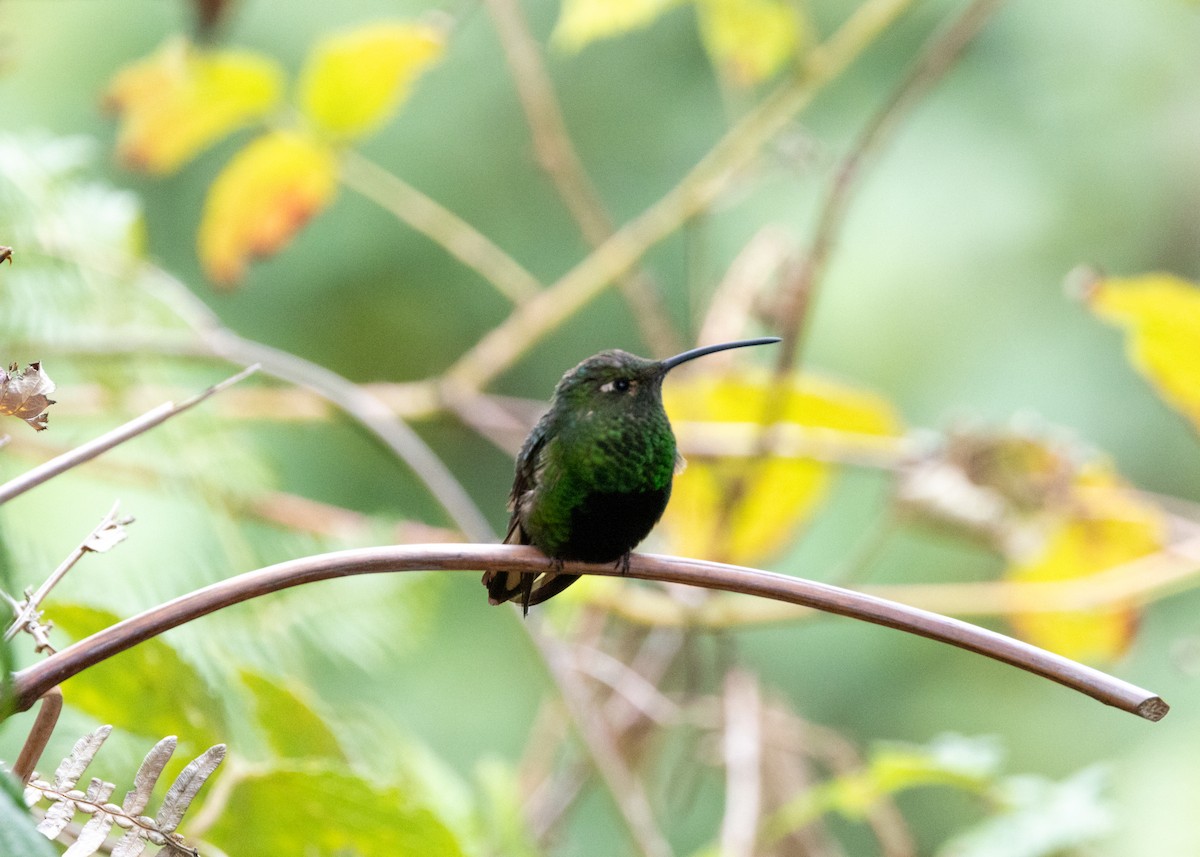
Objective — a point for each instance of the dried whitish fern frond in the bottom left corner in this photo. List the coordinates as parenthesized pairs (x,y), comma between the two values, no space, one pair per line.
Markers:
(67,801)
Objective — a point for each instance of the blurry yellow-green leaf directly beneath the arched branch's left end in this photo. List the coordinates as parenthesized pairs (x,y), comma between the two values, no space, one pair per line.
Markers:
(148,691)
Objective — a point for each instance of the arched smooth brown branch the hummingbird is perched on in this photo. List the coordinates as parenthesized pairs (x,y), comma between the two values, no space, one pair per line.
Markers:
(34,681)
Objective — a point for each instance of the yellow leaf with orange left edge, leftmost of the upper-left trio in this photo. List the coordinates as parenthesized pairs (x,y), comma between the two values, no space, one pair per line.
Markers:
(182,99)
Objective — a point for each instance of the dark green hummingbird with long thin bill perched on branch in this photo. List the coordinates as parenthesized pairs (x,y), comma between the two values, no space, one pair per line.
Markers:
(595,475)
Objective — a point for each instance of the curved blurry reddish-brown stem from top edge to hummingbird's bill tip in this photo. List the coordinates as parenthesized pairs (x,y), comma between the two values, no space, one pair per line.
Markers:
(935,59)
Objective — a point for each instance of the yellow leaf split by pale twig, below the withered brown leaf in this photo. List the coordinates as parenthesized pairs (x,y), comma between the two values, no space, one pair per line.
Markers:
(1103,526)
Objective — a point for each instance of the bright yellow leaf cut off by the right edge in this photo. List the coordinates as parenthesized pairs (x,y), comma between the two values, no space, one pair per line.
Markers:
(1161,315)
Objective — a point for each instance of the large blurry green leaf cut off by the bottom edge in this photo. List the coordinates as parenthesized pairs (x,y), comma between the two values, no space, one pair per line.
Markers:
(322,810)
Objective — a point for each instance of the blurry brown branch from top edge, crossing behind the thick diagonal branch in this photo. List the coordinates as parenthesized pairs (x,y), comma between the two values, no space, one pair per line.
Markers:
(561,163)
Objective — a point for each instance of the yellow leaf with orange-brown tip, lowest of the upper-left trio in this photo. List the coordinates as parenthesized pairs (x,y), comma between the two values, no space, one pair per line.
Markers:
(262,199)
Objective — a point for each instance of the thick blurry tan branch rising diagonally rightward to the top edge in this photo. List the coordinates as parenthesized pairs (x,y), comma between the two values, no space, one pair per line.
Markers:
(694,194)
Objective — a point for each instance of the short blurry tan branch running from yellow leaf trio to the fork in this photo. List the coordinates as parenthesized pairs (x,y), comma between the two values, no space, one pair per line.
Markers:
(448,230)
